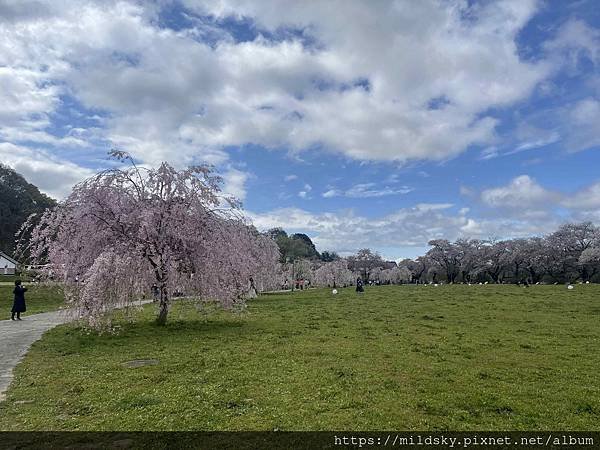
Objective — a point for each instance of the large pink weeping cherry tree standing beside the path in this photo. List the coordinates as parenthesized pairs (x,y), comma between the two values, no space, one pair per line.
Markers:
(124,229)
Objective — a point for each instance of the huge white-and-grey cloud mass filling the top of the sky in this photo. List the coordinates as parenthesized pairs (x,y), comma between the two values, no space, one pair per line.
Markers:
(374,81)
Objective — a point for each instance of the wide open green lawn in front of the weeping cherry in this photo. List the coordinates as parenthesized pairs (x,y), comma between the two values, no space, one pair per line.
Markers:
(396,358)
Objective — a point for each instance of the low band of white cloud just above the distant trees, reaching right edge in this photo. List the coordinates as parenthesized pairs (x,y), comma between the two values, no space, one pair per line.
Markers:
(522,208)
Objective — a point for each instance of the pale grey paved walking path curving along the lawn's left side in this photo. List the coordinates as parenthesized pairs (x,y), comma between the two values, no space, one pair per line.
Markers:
(17,336)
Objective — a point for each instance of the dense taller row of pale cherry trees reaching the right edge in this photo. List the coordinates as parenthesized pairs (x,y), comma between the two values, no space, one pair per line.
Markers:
(571,253)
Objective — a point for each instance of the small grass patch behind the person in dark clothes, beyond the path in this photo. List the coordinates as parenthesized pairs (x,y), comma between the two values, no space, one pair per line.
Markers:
(39,298)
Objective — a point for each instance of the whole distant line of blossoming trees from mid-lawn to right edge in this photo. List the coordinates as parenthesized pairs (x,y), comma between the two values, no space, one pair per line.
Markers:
(572,253)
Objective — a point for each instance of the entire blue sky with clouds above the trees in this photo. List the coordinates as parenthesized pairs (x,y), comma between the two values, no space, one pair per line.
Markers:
(362,124)
